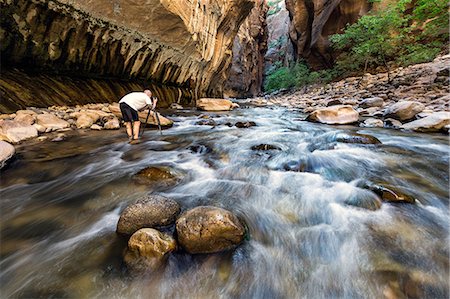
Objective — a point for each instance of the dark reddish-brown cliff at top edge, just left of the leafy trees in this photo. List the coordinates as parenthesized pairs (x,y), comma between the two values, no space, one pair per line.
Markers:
(313,21)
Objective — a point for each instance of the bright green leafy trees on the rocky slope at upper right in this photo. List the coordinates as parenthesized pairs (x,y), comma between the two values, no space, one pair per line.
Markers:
(404,33)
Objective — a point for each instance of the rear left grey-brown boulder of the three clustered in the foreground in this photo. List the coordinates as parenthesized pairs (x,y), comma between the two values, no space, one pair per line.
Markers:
(149,211)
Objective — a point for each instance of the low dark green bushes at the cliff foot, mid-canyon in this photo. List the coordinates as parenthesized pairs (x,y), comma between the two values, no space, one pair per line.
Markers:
(298,75)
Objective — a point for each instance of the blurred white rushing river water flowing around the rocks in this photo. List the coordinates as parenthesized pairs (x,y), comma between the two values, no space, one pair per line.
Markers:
(309,233)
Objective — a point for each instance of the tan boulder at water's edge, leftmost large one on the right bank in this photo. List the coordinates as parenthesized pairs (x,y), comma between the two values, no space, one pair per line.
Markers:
(339,114)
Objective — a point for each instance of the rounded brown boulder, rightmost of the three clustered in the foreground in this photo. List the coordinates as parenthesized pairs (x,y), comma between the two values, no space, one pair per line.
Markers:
(208,229)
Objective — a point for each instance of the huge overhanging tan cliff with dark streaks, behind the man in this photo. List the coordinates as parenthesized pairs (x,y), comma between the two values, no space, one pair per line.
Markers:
(181,46)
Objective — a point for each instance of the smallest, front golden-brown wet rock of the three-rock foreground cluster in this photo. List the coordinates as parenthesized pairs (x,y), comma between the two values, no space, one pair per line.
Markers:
(147,249)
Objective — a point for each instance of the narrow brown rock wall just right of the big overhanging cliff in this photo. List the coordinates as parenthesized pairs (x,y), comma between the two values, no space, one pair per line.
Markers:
(245,74)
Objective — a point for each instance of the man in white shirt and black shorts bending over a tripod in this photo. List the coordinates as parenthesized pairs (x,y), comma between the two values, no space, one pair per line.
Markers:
(130,105)
